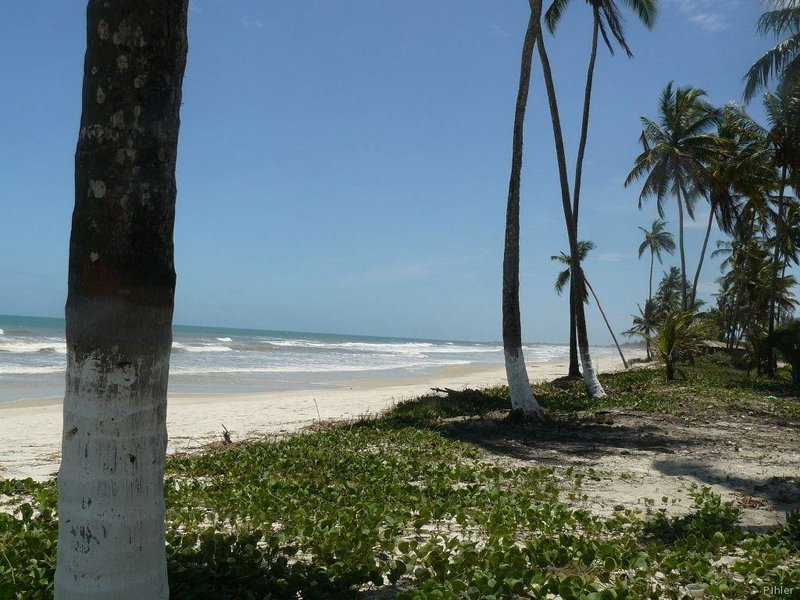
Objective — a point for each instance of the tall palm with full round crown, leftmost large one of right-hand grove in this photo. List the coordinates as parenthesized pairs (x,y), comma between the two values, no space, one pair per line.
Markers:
(675,152)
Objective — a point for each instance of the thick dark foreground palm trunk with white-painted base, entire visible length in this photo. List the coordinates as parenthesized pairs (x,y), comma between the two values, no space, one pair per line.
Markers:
(119,307)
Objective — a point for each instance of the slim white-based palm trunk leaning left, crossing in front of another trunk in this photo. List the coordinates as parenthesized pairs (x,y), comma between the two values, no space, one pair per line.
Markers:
(593,386)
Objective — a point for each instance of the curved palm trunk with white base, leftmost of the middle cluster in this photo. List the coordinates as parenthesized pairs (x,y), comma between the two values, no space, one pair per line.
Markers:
(522,398)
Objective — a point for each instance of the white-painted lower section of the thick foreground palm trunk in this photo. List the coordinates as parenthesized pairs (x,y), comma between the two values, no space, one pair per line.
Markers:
(111,542)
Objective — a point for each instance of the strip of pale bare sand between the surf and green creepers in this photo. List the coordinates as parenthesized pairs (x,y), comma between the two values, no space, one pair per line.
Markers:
(30,430)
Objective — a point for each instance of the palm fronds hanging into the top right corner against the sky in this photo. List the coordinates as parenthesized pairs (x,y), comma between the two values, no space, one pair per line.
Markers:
(783,60)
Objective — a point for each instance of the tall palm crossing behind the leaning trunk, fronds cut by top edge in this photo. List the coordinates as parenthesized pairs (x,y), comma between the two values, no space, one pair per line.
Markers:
(608,22)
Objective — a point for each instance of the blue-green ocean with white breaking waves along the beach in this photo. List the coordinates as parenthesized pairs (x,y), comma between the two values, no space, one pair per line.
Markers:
(214,359)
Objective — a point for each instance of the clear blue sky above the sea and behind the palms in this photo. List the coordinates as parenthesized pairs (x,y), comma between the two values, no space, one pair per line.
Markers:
(343,166)
